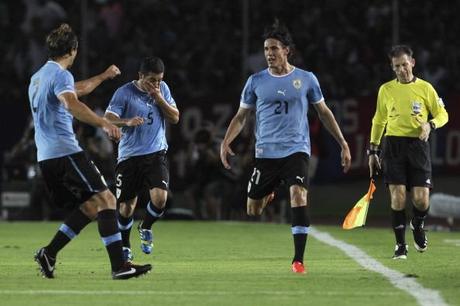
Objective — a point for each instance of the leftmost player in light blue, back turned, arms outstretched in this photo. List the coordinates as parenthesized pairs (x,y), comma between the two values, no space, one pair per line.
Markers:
(70,176)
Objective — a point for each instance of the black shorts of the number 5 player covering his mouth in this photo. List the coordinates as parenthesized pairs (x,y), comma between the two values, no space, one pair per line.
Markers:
(138,173)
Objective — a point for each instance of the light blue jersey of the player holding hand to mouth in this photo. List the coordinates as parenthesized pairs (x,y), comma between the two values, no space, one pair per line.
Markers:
(130,101)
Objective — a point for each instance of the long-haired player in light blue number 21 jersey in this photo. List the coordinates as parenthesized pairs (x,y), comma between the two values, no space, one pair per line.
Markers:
(281,96)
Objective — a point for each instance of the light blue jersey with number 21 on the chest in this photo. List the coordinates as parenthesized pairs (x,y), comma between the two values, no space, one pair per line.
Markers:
(281,106)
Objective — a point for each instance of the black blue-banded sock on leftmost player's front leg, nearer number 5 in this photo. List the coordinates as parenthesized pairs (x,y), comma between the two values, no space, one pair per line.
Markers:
(111,237)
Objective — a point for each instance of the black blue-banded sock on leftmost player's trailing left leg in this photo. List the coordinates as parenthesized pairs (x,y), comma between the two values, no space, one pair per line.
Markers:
(67,231)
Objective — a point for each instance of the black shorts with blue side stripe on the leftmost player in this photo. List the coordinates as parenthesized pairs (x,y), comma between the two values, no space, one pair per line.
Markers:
(72,179)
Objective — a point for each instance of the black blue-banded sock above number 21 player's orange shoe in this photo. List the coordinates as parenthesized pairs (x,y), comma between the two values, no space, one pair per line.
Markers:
(300,226)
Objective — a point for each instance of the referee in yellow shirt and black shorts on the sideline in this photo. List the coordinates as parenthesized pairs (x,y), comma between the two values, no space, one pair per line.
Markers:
(408,110)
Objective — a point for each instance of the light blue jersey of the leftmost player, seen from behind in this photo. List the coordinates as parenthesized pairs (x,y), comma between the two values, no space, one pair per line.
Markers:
(54,135)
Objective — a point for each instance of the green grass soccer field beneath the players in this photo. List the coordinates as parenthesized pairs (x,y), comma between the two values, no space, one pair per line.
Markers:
(226,263)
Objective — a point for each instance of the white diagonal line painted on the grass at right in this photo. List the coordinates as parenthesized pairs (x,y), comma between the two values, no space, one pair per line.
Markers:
(424,296)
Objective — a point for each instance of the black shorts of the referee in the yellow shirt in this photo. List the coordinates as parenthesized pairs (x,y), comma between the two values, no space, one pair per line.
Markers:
(407,161)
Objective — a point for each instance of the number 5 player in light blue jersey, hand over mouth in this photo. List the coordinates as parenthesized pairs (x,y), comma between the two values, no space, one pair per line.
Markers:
(141,108)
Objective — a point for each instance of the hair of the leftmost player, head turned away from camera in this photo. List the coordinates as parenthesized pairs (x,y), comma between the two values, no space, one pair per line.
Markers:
(61,41)
